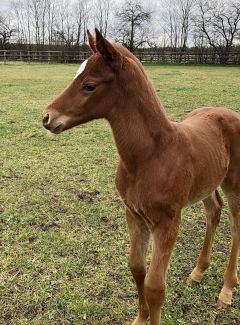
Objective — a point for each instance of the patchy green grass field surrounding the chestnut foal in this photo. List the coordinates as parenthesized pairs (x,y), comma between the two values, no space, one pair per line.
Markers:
(63,238)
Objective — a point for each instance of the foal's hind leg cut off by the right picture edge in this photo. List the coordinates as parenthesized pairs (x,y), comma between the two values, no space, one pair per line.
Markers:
(230,276)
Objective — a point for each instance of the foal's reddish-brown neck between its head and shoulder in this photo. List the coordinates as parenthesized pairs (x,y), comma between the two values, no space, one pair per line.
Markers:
(139,123)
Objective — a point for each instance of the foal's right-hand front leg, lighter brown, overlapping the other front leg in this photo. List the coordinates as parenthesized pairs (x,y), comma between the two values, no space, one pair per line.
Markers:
(164,236)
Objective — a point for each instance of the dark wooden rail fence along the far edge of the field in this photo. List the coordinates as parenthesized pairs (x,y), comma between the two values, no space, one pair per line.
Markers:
(161,56)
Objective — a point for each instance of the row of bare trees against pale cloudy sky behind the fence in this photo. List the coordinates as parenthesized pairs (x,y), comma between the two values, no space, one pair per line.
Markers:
(173,24)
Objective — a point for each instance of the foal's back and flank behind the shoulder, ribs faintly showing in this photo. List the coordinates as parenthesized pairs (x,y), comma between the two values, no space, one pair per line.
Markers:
(214,146)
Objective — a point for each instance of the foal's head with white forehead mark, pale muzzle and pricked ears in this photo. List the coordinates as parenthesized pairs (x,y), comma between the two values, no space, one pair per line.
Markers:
(96,88)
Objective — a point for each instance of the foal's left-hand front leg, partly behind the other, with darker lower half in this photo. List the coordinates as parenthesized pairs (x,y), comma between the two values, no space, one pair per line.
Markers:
(139,238)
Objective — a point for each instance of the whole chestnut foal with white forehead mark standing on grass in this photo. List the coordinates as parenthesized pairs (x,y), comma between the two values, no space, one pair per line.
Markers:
(164,165)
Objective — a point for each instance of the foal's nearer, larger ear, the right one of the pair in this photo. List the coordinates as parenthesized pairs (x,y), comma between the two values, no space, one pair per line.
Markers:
(108,51)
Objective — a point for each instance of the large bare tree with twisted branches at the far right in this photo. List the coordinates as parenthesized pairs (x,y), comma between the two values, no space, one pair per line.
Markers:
(220,24)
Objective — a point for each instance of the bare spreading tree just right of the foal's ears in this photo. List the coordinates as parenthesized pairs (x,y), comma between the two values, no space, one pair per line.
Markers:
(133,24)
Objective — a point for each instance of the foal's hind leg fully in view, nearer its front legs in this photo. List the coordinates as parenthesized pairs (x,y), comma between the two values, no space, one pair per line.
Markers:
(213,205)
